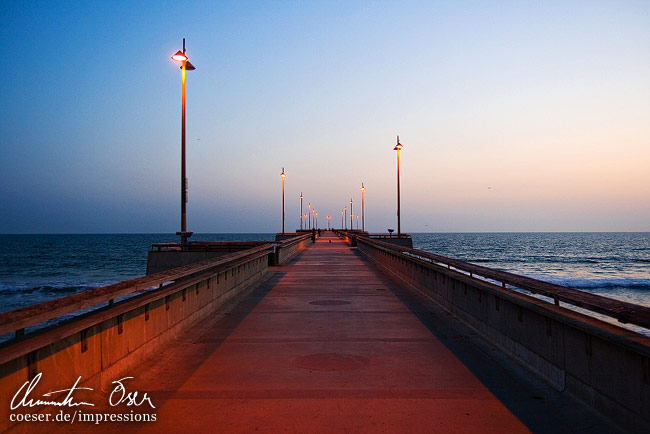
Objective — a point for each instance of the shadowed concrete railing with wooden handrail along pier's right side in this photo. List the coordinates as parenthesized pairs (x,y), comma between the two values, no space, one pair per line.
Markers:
(606,366)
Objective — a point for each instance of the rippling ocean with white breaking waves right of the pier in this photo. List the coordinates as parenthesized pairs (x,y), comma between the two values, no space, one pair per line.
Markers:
(615,265)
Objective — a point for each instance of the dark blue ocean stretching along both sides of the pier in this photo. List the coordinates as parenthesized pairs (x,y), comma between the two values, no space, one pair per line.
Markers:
(35,268)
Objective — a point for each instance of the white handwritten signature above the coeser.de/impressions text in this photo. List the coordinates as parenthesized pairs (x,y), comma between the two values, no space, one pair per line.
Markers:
(119,395)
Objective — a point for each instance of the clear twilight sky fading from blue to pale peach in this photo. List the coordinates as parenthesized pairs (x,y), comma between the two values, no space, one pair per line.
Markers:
(514,116)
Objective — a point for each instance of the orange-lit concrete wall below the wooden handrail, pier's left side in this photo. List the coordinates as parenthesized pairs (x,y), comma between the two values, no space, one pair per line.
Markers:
(103,345)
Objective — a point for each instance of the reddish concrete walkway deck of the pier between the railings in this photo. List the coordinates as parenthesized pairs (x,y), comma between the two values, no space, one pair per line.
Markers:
(328,344)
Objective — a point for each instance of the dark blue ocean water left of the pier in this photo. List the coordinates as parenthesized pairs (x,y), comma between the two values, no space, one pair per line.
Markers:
(36,268)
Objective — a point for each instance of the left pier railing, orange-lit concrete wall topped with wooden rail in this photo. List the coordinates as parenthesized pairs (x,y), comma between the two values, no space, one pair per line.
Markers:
(102,344)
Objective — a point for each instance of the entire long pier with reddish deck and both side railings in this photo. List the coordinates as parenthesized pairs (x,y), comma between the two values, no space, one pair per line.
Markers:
(346,334)
